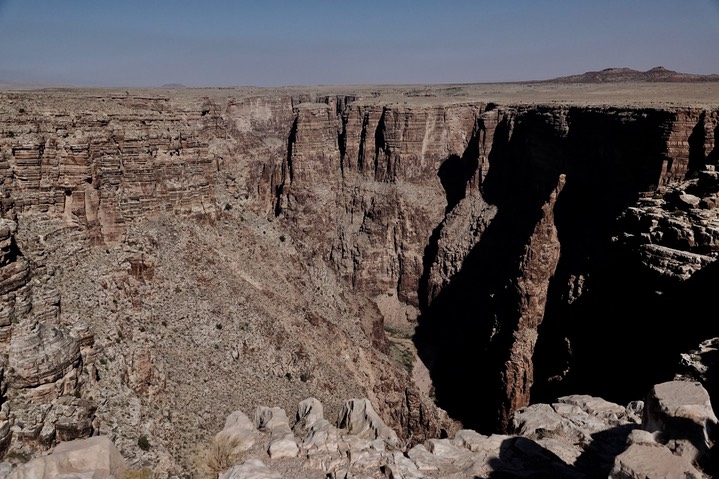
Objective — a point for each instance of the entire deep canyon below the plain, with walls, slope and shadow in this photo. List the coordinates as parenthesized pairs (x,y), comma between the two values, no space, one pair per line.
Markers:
(452,253)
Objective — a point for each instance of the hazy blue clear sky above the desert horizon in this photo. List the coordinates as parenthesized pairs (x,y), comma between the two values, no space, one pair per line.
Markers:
(313,42)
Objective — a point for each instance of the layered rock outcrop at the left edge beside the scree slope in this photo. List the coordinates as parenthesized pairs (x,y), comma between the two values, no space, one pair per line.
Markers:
(42,360)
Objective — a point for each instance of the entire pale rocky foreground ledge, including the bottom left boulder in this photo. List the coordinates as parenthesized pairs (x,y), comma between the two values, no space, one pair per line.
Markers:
(669,435)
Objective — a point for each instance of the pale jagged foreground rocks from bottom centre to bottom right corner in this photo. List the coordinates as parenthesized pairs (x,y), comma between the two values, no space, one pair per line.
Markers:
(579,436)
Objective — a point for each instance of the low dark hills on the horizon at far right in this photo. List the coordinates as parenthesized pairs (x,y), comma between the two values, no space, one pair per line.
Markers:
(614,75)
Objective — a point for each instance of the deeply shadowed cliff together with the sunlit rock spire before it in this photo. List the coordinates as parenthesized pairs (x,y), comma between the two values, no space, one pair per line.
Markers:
(537,318)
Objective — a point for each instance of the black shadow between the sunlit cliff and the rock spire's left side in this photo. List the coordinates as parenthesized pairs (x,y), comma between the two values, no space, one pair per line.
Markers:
(464,333)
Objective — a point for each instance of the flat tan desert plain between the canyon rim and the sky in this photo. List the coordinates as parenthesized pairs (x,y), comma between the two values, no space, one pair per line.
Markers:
(642,94)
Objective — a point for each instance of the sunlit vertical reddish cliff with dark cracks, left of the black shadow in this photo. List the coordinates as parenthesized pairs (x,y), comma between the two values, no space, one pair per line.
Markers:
(361,186)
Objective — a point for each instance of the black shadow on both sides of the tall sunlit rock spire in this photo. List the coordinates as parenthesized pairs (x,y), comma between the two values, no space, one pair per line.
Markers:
(604,329)
